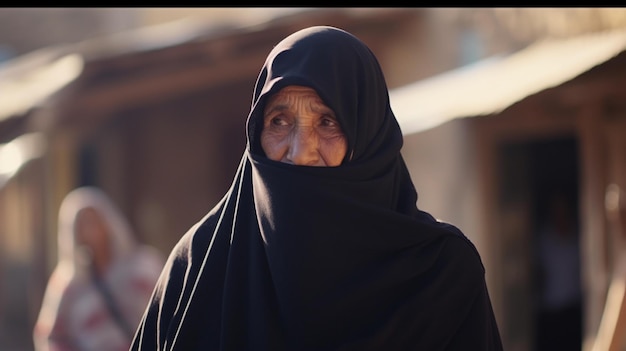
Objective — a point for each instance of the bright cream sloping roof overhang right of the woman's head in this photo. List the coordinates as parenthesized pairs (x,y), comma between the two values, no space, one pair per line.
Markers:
(493,84)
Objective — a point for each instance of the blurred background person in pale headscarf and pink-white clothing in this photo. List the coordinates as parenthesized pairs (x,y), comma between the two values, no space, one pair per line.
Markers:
(99,289)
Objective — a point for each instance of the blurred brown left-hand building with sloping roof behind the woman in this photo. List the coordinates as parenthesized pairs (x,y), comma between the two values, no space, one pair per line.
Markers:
(155,116)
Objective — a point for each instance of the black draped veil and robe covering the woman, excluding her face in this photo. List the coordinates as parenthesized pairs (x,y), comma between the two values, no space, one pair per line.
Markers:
(322,258)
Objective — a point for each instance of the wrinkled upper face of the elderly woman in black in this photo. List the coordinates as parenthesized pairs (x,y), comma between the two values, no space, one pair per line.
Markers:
(298,128)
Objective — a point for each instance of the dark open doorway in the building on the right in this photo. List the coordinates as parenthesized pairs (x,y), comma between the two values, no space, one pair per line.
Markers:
(541,252)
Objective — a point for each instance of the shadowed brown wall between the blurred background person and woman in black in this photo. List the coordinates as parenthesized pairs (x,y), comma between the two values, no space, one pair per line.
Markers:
(179,168)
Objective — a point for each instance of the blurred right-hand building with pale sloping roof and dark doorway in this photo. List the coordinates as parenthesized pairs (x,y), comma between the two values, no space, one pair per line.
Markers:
(501,135)
